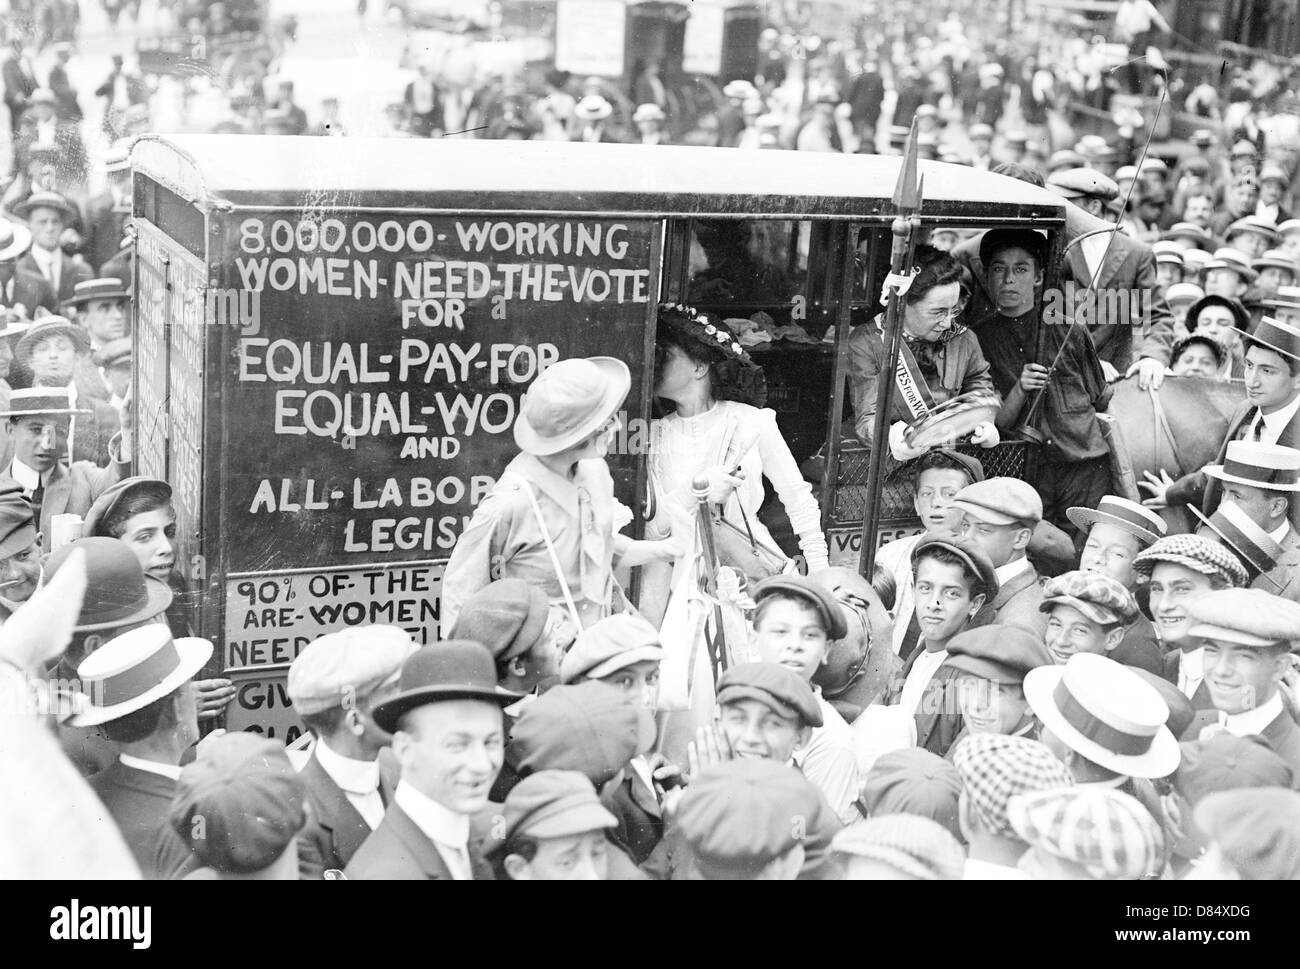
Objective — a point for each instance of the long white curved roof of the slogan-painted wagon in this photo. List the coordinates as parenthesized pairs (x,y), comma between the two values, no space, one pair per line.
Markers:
(561,178)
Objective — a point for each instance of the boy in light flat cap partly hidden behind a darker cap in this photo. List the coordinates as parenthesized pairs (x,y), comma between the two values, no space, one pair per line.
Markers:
(623,652)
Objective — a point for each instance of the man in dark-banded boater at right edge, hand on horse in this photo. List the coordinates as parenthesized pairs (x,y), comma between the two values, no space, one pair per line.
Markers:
(1268,417)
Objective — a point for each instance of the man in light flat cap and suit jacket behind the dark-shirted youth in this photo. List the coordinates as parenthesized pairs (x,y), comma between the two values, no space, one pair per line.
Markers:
(1128,296)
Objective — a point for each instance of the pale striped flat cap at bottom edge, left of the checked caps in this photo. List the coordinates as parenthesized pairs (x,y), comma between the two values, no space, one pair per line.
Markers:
(899,847)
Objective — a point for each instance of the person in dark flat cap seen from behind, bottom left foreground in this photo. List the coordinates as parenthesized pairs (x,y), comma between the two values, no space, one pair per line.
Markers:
(240,807)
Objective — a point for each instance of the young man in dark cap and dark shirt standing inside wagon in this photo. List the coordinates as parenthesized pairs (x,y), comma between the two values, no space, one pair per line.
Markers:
(1020,340)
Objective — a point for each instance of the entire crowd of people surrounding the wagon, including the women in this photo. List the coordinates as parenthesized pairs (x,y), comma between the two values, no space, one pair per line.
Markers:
(1052,681)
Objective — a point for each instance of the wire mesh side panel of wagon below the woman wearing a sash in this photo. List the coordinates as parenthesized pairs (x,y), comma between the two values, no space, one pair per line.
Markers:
(850,507)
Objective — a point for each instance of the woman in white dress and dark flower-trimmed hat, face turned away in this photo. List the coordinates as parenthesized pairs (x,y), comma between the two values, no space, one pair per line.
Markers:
(714,430)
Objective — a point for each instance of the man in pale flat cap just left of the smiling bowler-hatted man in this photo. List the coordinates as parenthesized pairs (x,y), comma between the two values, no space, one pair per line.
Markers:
(335,685)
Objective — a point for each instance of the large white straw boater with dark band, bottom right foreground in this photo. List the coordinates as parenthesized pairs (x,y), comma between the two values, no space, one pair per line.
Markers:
(1104,712)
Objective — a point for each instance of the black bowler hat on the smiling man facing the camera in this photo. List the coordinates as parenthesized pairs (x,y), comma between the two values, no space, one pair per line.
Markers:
(449,670)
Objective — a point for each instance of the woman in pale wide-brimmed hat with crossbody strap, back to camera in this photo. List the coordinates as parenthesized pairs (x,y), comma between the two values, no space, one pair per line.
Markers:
(553,520)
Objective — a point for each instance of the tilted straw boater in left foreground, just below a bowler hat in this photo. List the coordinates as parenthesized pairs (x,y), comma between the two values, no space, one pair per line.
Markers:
(133,670)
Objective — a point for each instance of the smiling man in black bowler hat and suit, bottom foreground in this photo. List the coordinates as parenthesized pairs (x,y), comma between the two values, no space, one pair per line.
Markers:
(449,738)
